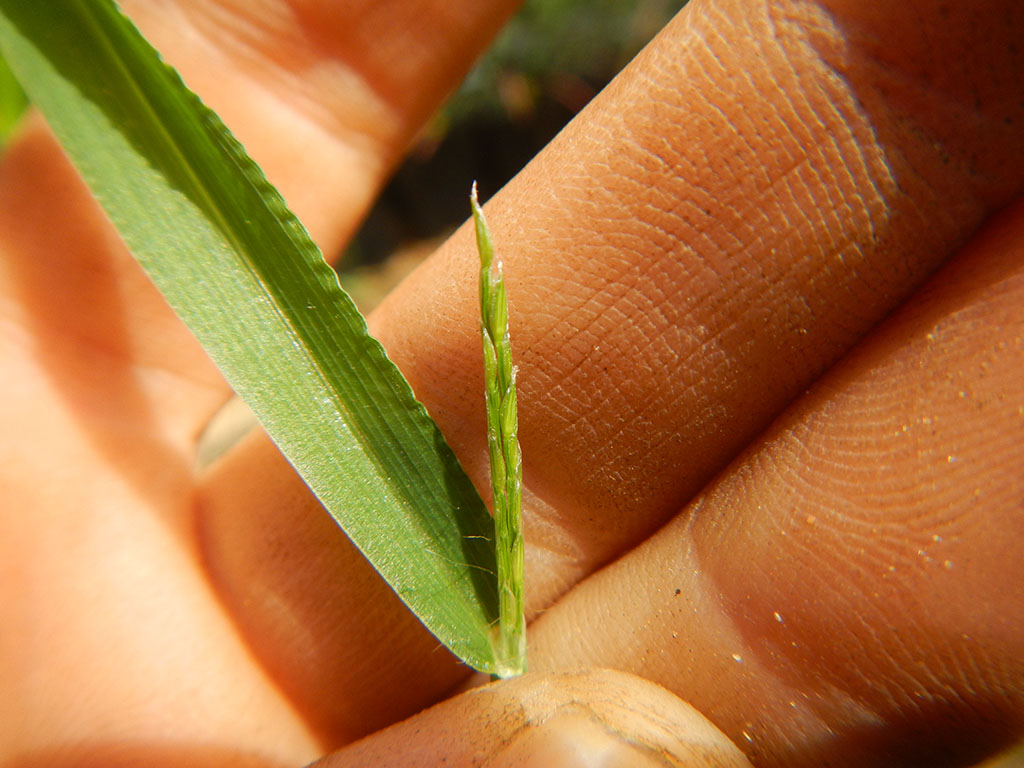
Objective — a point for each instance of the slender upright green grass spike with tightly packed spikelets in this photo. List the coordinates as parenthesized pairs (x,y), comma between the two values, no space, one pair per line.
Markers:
(506,459)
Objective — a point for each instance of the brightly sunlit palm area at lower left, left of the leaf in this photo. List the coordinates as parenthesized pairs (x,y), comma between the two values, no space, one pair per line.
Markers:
(113,649)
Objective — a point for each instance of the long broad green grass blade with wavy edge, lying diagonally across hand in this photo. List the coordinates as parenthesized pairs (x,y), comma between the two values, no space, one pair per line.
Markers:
(242,273)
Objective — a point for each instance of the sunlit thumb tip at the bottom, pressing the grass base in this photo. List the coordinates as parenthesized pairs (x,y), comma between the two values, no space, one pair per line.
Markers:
(591,719)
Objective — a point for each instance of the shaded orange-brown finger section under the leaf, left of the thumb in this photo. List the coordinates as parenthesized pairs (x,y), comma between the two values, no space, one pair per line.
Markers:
(332,634)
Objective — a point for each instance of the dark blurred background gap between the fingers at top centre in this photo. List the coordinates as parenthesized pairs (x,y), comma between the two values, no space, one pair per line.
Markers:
(546,65)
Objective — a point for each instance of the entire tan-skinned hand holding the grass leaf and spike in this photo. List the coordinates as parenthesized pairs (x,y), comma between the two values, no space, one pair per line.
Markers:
(766,470)
